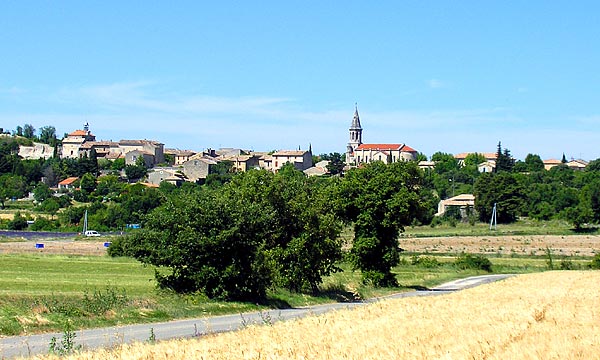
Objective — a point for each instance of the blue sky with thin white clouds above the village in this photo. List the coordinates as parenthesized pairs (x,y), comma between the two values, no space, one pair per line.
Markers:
(437,75)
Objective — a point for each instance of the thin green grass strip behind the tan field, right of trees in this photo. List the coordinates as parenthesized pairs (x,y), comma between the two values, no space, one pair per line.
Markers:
(521,227)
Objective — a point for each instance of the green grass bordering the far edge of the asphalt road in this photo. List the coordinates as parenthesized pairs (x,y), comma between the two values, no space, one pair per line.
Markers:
(40,293)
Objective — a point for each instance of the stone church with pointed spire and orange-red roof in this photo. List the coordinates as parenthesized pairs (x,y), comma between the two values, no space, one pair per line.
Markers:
(358,153)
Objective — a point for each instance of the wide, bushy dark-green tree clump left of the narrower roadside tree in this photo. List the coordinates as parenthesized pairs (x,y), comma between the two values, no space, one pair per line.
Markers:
(235,241)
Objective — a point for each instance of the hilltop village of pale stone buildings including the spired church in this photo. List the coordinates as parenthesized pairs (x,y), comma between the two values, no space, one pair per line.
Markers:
(176,166)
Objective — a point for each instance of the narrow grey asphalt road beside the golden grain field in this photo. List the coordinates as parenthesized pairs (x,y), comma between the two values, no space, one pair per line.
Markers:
(14,346)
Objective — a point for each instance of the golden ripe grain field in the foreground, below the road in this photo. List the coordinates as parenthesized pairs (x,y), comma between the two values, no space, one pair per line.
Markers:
(552,315)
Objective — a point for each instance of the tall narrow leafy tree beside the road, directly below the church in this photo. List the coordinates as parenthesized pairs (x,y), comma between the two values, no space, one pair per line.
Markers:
(379,200)
